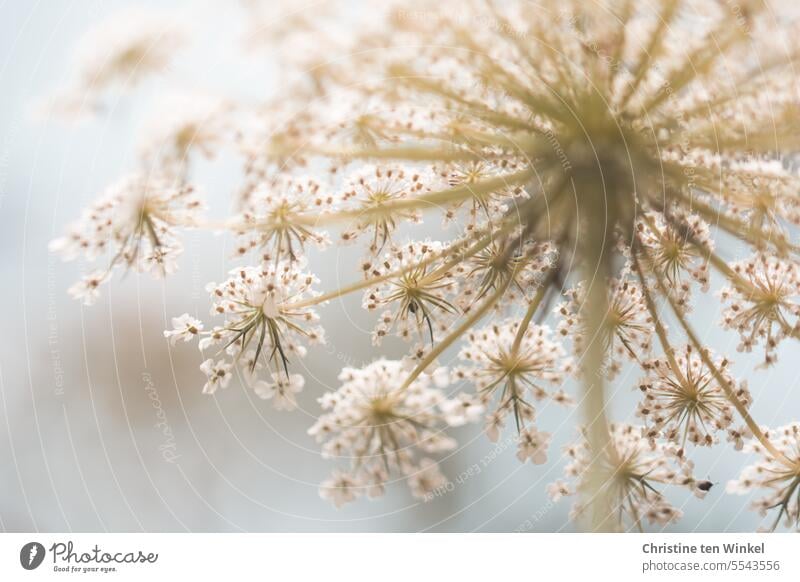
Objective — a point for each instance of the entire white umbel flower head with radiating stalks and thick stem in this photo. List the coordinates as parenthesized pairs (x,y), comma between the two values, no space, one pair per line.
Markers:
(586,159)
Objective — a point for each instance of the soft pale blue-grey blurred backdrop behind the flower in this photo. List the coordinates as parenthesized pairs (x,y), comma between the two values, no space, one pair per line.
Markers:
(103,426)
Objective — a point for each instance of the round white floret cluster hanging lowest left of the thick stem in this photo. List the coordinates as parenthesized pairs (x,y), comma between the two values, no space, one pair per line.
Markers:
(386,429)
